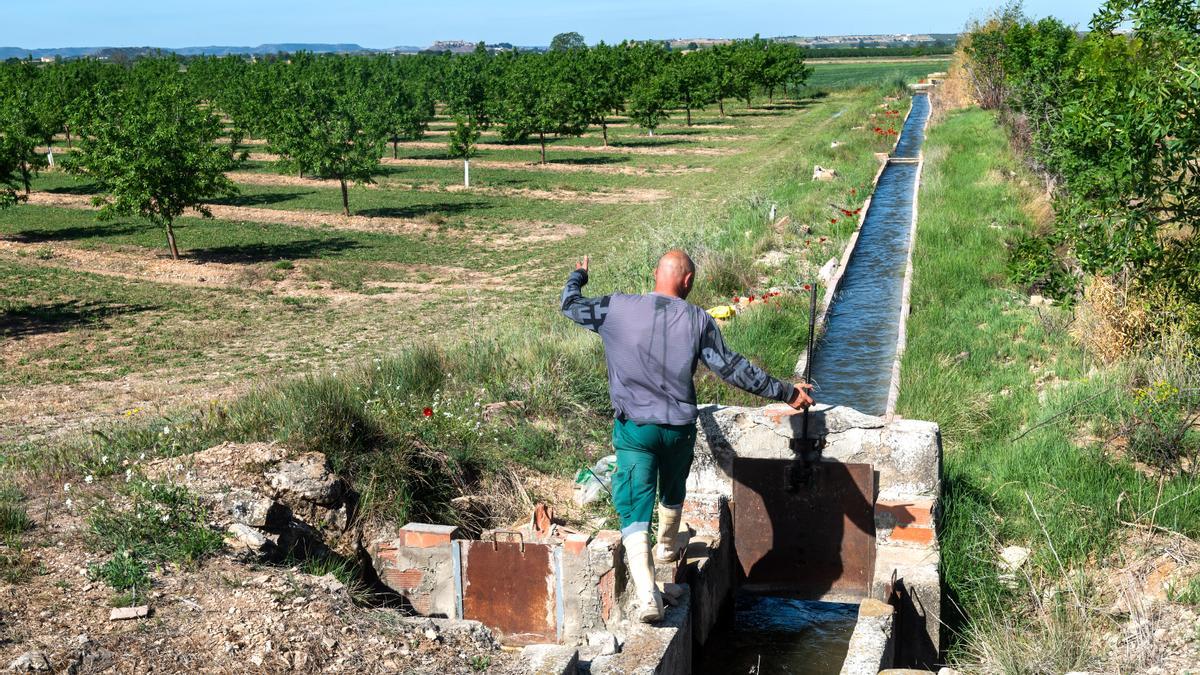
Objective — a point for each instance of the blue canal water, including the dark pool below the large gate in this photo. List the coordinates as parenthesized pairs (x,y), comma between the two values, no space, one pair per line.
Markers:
(851,367)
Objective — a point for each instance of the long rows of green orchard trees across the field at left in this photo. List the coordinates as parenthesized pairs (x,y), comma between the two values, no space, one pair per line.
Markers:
(159,135)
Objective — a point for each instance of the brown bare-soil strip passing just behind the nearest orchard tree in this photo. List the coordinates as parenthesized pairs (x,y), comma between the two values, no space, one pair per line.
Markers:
(531,231)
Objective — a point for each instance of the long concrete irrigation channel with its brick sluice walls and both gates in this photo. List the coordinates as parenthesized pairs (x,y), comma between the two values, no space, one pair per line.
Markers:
(850,522)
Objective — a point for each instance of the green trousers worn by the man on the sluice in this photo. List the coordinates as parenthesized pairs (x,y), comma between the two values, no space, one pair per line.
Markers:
(650,457)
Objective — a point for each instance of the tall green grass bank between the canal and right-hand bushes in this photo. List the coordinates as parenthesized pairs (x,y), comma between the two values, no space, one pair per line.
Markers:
(1019,419)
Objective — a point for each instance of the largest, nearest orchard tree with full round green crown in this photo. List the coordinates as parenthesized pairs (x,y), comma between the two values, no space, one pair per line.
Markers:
(153,151)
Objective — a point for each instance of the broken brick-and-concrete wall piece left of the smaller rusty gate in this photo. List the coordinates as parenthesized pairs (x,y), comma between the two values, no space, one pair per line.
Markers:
(419,566)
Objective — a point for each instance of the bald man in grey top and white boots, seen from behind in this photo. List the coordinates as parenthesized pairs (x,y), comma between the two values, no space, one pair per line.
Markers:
(652,347)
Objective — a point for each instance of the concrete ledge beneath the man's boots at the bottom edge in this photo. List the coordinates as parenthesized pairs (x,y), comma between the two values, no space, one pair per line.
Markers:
(653,649)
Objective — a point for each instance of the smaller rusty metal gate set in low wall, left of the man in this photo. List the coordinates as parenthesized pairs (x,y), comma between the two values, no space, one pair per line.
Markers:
(513,588)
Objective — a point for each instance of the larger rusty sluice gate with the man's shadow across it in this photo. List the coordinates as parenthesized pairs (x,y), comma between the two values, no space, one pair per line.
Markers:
(812,540)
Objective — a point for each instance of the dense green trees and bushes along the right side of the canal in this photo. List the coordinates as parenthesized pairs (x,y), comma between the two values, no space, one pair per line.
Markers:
(1113,121)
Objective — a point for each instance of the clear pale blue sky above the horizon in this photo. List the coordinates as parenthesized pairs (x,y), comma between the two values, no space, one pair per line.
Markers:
(379,23)
